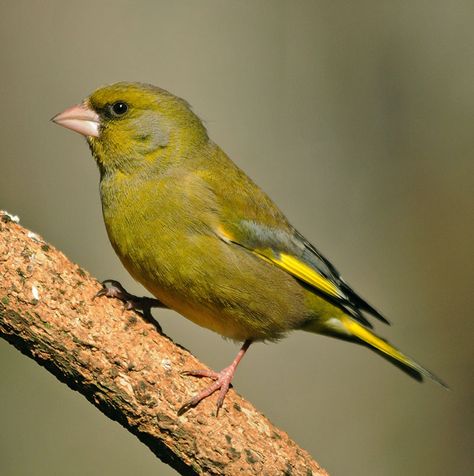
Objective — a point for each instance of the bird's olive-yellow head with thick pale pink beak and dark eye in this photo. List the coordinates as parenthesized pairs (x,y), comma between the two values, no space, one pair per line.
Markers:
(125,123)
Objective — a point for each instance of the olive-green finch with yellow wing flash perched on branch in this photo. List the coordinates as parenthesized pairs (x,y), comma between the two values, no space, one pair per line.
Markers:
(191,227)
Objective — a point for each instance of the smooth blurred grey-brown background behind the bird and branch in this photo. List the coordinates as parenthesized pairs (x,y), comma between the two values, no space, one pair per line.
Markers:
(357,118)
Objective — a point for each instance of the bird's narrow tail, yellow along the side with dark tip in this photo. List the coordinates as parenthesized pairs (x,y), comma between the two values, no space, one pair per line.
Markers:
(356,332)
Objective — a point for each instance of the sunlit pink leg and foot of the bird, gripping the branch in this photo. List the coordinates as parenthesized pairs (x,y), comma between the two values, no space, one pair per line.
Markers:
(222,381)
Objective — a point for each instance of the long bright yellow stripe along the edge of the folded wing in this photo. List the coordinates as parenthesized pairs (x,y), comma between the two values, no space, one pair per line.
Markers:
(301,271)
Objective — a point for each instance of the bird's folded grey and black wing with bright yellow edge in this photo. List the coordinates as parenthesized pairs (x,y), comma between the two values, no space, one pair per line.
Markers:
(289,250)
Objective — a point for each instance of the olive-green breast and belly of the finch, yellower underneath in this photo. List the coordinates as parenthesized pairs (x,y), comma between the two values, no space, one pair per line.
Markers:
(165,238)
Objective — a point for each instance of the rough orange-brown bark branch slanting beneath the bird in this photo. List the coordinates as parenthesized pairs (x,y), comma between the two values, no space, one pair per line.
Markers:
(123,366)
